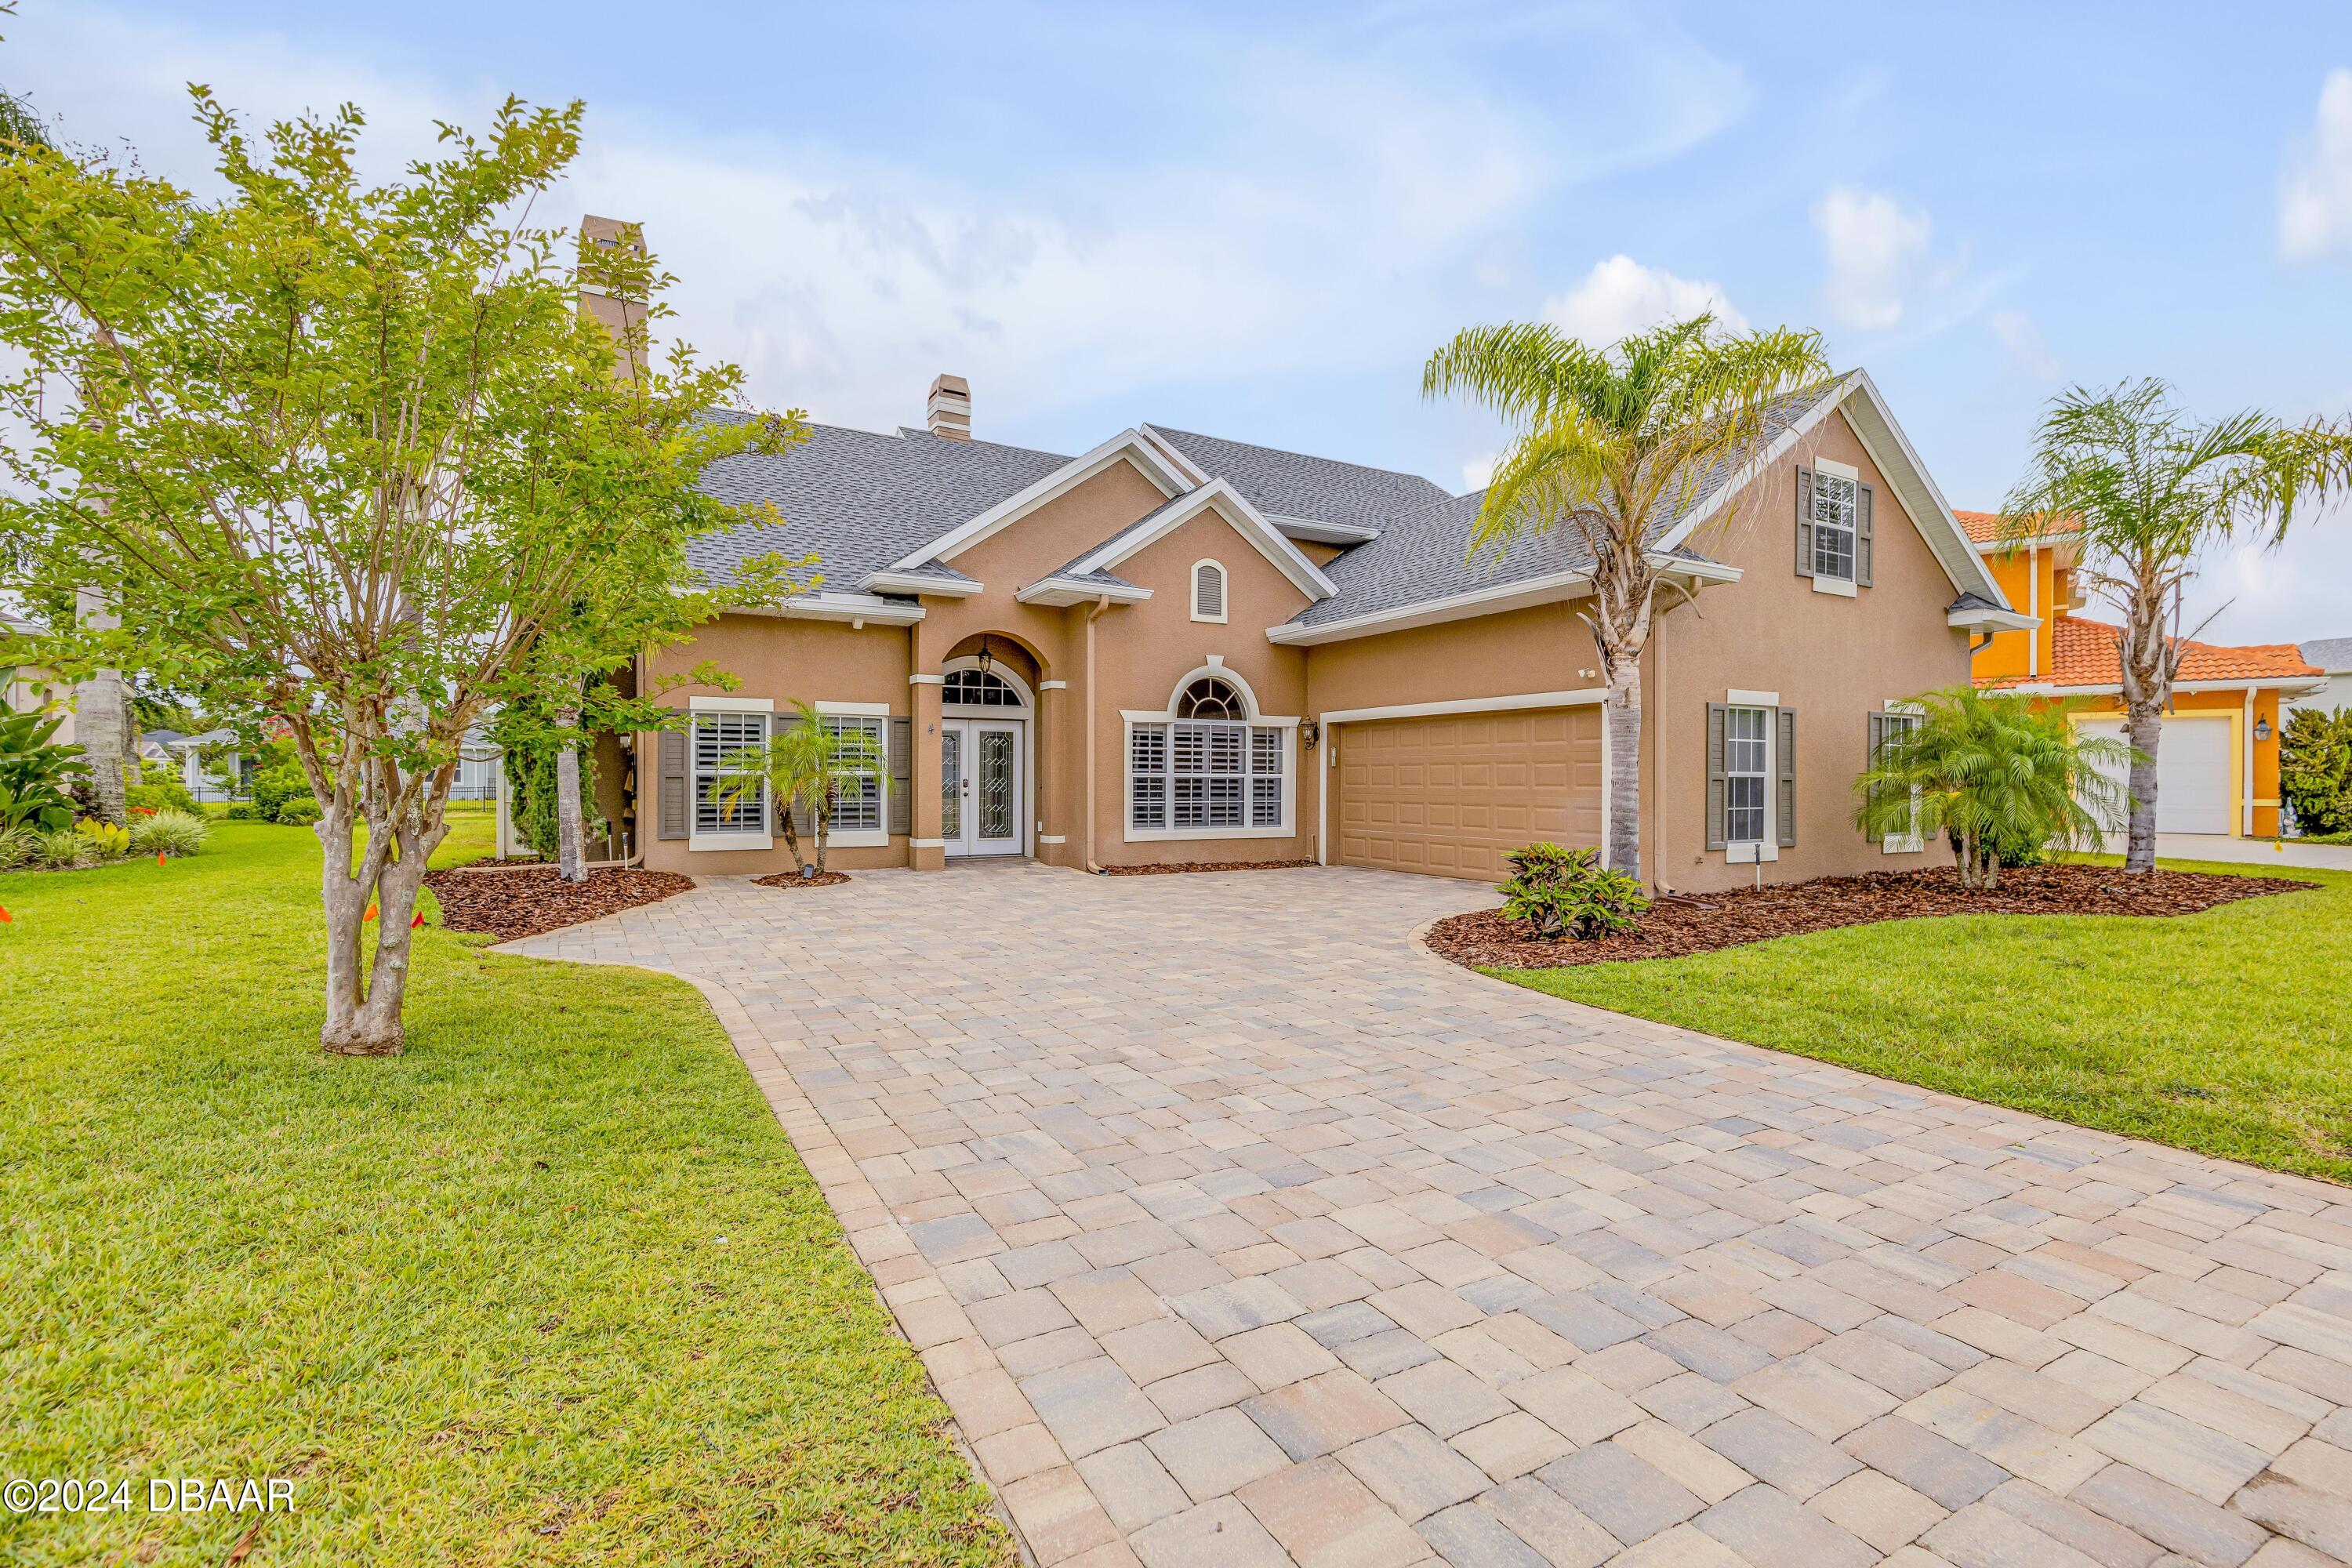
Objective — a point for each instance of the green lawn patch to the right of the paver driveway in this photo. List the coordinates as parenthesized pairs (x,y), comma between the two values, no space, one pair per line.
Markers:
(2221,1033)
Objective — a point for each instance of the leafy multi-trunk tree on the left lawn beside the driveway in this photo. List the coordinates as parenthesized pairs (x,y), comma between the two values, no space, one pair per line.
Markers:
(352,457)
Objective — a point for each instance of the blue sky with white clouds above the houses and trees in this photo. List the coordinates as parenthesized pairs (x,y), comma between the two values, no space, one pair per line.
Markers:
(1259,220)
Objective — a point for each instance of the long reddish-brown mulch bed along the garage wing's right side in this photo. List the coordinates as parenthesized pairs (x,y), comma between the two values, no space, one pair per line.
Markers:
(1704,923)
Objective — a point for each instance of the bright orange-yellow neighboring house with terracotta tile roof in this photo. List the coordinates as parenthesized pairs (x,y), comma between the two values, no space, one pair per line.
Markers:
(2219,760)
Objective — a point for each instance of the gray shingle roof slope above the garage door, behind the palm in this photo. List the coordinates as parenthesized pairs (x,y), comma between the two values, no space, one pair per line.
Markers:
(1422,556)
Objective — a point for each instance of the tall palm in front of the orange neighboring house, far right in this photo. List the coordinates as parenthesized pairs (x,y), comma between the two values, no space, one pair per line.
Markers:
(2151,490)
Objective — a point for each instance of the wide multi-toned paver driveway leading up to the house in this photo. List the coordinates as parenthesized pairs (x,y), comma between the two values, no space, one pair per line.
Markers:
(1236,1231)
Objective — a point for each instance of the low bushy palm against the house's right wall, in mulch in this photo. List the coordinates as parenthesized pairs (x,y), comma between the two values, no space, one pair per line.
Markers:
(1989,770)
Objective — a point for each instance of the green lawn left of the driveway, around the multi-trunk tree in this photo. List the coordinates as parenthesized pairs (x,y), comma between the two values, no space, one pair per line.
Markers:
(549,1289)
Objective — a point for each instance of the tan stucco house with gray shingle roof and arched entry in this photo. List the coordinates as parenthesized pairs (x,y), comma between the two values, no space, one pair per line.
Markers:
(1180,650)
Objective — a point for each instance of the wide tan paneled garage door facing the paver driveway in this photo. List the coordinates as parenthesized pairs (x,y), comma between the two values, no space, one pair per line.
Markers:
(1452,796)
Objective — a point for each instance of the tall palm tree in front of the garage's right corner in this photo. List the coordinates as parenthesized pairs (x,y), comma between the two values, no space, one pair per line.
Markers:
(1612,445)
